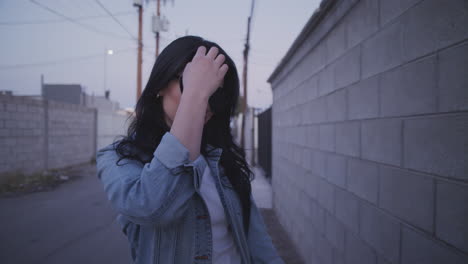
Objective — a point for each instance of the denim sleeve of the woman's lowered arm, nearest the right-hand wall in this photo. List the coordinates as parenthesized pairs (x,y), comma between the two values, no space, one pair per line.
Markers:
(260,244)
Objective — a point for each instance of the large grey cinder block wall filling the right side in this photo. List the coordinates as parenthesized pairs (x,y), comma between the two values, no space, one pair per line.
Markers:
(370,134)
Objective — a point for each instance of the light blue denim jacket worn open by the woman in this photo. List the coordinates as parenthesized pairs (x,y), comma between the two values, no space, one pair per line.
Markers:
(162,213)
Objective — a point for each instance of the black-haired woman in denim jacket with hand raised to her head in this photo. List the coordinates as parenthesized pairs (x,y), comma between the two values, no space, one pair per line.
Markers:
(178,181)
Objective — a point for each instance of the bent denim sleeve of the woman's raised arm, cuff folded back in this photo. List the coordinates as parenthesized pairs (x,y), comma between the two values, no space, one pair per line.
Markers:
(156,193)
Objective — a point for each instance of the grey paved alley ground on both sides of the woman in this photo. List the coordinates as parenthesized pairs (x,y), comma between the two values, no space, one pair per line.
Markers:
(74,223)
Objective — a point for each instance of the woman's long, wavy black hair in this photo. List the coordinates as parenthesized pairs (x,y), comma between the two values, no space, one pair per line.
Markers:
(148,126)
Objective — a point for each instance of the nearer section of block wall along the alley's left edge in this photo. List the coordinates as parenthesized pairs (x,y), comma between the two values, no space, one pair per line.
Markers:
(40,134)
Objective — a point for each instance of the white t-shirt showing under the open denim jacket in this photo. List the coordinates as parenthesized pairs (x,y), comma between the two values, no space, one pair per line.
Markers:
(224,248)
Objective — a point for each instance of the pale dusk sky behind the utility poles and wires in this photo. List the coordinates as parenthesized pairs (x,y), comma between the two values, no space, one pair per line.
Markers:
(39,40)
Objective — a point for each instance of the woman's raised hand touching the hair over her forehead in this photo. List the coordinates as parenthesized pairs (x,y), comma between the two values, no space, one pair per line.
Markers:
(205,73)
